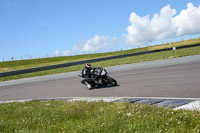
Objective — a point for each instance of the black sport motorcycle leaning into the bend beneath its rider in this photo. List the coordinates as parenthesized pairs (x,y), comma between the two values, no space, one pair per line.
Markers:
(103,79)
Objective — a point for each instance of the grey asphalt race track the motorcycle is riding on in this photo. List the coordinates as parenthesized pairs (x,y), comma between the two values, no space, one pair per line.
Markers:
(174,78)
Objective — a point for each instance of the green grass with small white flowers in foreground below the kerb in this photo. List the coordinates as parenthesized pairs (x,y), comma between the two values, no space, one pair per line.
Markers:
(63,116)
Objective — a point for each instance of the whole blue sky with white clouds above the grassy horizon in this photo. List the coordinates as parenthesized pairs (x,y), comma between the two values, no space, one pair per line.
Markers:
(47,28)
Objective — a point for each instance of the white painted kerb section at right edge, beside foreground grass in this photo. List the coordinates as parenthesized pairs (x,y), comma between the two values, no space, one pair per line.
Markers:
(190,106)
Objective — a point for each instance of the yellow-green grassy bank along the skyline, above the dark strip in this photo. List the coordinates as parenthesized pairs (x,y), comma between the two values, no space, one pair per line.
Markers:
(24,64)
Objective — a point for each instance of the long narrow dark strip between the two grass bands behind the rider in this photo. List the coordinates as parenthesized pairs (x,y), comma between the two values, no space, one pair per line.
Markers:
(37,69)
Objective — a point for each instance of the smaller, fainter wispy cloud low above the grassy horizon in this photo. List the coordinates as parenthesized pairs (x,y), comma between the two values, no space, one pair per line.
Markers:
(95,44)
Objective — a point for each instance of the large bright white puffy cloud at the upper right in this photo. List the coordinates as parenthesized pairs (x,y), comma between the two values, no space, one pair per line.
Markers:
(163,25)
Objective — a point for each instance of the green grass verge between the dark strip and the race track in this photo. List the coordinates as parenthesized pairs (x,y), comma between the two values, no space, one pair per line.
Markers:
(127,60)
